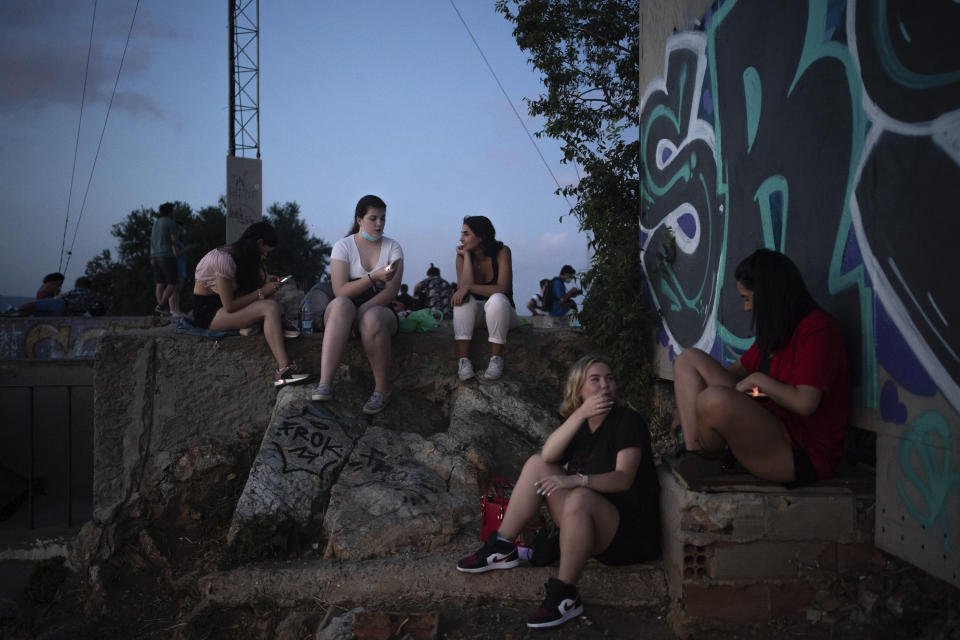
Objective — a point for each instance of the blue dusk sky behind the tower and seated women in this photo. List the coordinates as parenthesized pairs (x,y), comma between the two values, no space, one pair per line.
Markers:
(370,96)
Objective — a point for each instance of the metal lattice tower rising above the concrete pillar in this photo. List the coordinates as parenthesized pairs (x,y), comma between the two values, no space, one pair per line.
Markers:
(244,77)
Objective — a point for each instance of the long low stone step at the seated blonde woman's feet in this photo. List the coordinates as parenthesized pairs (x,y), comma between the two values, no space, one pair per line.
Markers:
(421,576)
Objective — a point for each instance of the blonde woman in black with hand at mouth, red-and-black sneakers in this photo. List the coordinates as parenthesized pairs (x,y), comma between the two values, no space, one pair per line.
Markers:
(597,477)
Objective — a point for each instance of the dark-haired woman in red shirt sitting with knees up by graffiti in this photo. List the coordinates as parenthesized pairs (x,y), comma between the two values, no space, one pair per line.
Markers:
(782,408)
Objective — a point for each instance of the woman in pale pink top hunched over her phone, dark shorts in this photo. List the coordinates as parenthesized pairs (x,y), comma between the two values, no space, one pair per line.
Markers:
(231,293)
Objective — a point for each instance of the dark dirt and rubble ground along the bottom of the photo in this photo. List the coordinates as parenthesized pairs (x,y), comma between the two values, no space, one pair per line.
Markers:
(149,589)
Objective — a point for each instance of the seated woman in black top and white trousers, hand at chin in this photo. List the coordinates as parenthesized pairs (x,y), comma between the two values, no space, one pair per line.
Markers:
(485,290)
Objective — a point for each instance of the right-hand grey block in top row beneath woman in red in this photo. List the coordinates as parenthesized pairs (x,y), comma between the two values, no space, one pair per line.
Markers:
(807,517)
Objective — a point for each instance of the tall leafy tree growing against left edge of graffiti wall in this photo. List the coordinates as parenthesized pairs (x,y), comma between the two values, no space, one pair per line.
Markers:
(589,54)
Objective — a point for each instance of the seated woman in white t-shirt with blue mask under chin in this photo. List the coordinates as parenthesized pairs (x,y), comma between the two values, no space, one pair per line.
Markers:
(366,269)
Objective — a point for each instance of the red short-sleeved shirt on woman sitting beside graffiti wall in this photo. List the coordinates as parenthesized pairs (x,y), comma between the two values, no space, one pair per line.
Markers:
(814,356)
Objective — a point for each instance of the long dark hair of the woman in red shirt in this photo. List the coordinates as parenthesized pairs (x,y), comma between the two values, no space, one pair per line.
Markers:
(780,297)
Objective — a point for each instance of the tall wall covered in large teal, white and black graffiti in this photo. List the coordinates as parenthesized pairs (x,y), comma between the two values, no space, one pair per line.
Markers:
(829,131)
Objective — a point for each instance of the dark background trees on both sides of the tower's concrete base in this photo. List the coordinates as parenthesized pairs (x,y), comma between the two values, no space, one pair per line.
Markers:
(127,283)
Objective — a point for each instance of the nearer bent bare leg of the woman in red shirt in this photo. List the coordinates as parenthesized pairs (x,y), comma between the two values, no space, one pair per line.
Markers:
(755,436)
